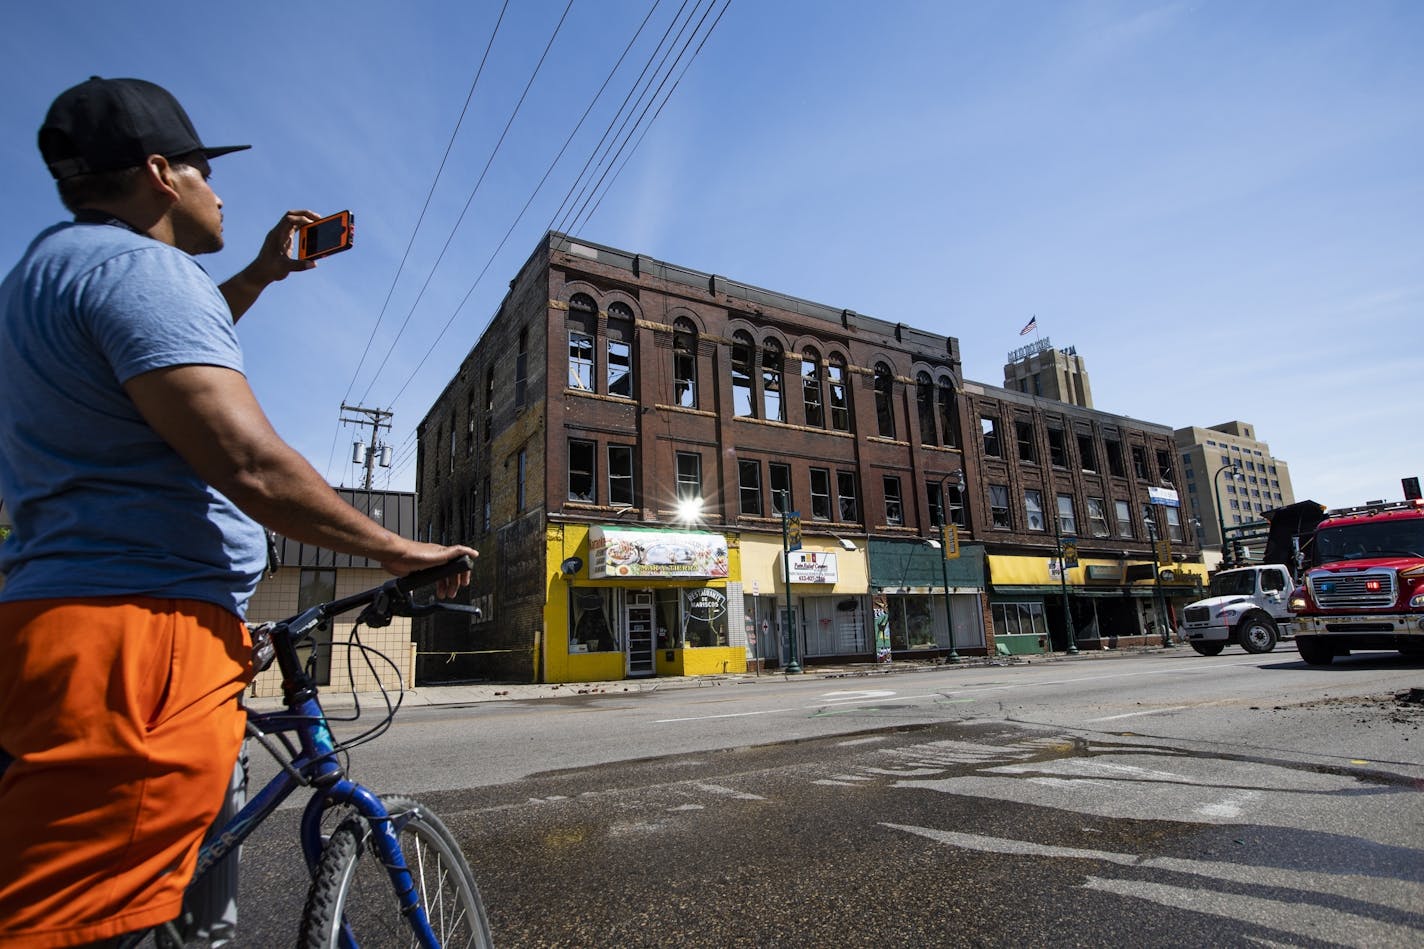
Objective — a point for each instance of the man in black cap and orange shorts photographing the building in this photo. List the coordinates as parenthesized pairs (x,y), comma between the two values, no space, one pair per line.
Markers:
(137,467)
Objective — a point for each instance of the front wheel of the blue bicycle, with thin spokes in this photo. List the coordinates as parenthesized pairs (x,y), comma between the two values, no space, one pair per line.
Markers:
(354,904)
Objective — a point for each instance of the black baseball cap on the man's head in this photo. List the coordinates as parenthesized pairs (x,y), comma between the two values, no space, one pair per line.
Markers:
(110,125)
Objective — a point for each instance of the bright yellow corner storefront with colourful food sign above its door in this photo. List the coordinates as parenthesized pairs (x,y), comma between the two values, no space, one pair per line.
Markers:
(634,602)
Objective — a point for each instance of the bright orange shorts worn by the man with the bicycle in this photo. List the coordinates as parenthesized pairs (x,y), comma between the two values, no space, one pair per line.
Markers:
(123,723)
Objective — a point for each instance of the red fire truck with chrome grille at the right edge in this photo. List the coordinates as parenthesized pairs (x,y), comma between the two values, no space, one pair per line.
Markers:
(1365,589)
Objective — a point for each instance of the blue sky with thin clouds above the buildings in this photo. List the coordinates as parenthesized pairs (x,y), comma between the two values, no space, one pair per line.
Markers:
(1221,204)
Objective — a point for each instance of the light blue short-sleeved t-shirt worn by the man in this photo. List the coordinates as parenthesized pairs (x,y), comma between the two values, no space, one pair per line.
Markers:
(100,504)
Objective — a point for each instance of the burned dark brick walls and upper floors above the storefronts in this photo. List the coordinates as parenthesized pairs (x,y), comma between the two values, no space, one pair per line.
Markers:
(737,393)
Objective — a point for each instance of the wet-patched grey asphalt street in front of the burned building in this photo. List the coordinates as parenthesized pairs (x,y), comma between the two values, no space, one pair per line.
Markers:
(1146,800)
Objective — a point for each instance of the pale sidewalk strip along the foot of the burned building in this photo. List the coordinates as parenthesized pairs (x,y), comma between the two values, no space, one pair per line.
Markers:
(476,693)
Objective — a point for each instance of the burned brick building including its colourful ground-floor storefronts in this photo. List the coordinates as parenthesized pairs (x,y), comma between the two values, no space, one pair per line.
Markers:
(629,438)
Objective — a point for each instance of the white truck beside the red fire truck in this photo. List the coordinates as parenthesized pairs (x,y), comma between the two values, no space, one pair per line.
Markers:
(1248,606)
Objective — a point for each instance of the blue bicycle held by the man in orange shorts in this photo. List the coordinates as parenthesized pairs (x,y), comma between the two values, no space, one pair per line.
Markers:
(415,887)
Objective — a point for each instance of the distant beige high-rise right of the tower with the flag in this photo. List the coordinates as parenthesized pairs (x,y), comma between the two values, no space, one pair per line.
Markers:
(1228,462)
